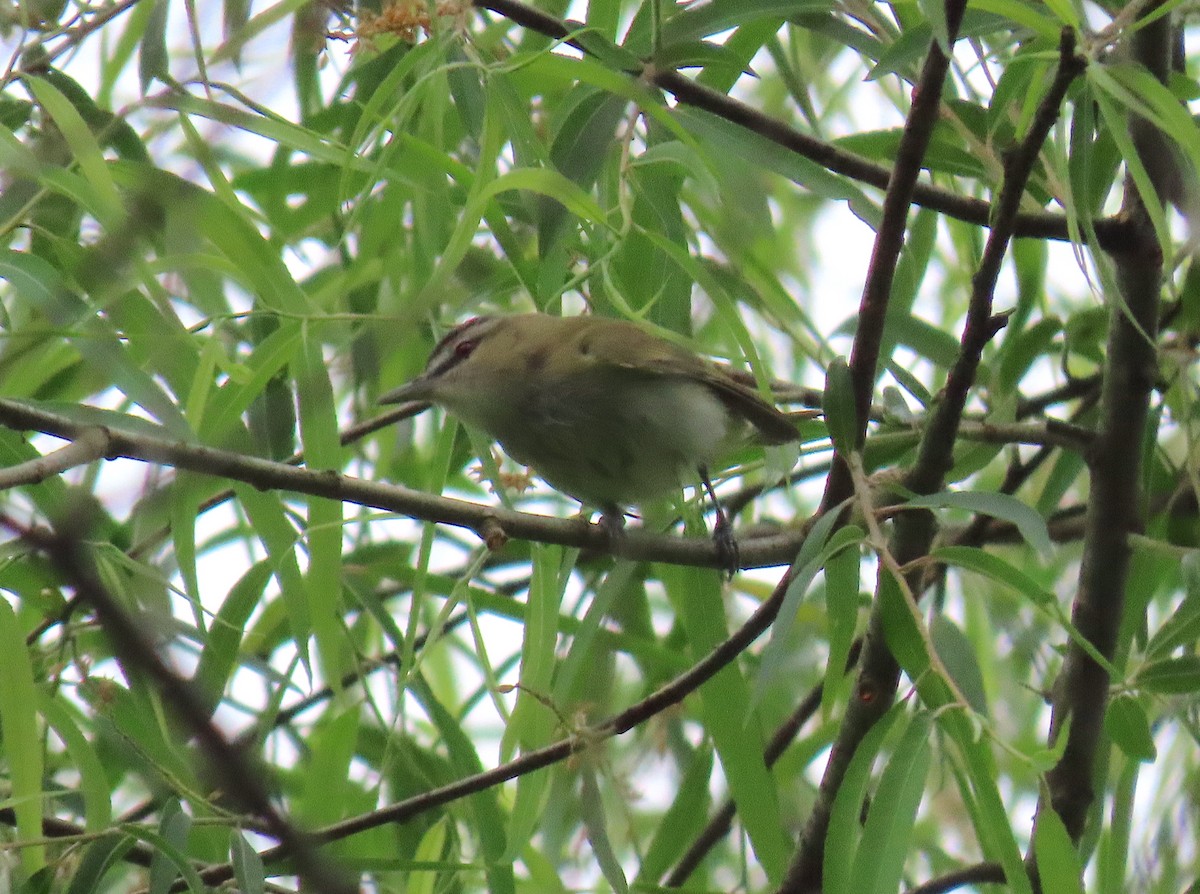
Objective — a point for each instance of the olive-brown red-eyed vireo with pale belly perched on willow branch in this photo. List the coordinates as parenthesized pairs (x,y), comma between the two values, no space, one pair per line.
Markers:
(603,410)
